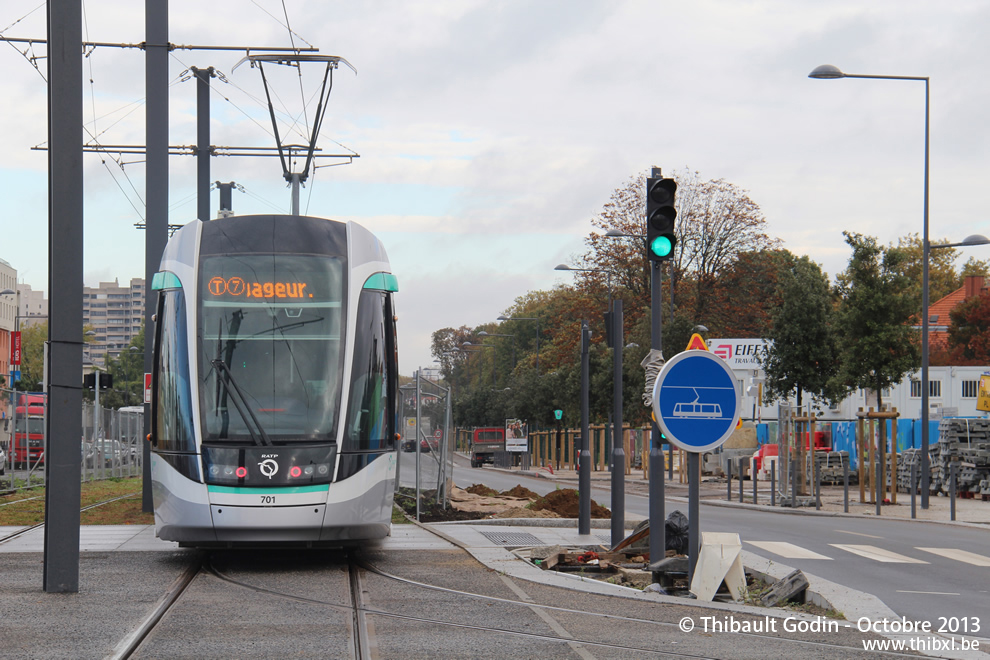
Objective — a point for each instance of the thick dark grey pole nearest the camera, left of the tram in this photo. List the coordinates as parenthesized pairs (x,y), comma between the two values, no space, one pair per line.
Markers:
(65,283)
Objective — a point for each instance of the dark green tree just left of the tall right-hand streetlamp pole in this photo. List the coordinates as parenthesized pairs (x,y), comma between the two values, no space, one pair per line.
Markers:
(879,344)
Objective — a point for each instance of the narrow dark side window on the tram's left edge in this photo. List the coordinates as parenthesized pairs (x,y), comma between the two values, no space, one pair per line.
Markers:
(173,406)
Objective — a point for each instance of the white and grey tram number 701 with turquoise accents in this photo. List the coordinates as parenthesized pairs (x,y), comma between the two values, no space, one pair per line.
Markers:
(274,384)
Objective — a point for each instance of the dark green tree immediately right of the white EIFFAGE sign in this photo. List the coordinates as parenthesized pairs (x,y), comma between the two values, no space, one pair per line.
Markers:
(803,351)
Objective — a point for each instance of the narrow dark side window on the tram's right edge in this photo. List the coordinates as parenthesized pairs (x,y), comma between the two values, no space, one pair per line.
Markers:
(373,377)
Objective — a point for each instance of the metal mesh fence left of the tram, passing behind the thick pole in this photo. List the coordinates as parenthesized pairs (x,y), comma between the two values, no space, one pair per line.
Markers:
(110,446)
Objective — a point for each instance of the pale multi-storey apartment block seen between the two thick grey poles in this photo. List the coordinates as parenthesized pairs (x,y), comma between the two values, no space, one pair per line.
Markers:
(112,314)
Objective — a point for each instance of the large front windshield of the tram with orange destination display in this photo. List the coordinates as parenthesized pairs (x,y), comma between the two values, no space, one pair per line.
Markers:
(270,347)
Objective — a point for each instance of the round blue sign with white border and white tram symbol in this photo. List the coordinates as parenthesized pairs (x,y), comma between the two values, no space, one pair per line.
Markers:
(695,401)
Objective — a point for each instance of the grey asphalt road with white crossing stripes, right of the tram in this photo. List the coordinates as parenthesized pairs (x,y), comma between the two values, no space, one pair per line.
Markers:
(923,571)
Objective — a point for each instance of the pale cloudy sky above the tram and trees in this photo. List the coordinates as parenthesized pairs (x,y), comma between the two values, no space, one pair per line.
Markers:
(489,133)
